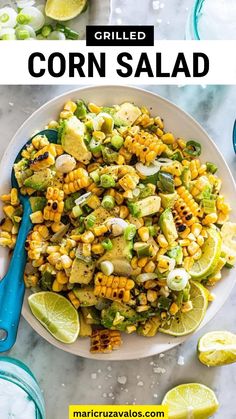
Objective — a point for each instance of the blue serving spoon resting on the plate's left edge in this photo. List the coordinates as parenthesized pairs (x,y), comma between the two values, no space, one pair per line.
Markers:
(12,286)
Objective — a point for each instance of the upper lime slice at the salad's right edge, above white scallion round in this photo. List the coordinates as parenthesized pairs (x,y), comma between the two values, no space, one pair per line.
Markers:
(211,251)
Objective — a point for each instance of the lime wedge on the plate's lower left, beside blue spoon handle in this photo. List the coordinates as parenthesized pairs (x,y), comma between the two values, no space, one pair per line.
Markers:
(56,314)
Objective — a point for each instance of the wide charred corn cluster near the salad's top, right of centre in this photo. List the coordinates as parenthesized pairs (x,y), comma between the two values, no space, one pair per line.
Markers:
(145,146)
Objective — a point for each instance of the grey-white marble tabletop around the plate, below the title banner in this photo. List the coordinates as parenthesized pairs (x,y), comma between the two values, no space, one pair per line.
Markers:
(65,378)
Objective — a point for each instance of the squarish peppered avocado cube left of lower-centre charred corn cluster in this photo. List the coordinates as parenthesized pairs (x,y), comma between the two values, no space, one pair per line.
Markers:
(81,272)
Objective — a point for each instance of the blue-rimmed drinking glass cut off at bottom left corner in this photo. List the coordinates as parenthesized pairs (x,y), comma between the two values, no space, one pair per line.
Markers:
(25,389)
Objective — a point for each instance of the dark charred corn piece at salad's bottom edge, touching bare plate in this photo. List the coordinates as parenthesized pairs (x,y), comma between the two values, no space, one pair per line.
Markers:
(104,341)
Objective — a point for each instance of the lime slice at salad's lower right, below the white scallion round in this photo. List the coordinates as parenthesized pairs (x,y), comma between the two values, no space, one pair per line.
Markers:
(185,323)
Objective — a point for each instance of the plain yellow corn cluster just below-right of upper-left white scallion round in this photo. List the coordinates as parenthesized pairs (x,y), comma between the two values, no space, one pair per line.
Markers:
(76,180)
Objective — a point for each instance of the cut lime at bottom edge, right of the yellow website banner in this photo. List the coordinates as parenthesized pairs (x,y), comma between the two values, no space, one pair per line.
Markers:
(193,400)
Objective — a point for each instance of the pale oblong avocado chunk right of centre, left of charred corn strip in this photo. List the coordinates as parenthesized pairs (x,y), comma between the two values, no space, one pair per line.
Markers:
(144,207)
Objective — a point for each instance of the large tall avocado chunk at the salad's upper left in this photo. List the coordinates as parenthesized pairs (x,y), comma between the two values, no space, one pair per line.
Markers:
(72,140)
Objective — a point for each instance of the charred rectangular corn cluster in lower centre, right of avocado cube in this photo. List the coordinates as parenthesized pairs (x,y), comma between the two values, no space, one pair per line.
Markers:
(113,287)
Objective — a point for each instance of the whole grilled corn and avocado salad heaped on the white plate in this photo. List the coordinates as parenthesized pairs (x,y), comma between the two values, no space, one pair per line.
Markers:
(126,219)
